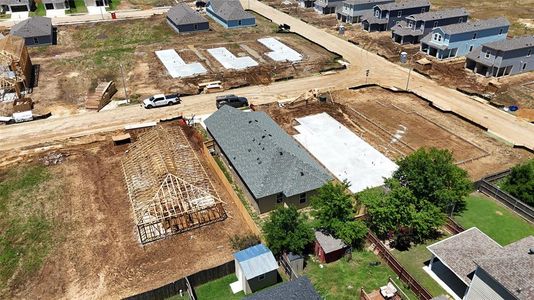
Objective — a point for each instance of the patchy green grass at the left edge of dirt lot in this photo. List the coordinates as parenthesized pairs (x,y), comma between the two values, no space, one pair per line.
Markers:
(27,228)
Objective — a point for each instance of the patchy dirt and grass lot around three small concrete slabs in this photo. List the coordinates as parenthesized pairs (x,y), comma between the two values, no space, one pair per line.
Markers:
(89,53)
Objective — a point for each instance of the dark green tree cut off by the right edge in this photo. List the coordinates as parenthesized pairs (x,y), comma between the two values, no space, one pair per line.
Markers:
(520,182)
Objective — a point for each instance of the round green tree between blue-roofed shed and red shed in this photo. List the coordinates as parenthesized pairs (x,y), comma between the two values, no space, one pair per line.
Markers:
(287,230)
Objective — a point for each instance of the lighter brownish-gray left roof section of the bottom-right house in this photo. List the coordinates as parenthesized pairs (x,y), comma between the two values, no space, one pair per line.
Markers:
(459,251)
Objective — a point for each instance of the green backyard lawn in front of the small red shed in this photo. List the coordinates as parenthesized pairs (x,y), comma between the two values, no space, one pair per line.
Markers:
(343,279)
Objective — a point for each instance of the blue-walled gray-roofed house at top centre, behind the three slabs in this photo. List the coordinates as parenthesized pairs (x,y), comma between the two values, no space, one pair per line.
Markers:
(229,13)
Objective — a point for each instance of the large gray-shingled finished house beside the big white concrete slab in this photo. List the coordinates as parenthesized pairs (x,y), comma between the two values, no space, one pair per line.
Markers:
(273,167)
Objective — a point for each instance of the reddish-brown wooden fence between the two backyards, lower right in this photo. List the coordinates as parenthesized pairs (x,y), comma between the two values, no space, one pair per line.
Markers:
(384,253)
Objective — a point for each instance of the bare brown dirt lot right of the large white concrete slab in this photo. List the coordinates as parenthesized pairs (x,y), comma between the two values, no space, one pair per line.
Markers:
(397,124)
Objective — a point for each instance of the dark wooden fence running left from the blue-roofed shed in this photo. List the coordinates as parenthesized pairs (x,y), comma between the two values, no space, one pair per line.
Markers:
(185,286)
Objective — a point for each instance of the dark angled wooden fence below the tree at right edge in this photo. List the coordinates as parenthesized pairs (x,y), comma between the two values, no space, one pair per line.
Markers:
(486,187)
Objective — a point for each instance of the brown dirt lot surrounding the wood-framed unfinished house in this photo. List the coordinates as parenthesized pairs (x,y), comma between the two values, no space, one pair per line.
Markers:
(99,255)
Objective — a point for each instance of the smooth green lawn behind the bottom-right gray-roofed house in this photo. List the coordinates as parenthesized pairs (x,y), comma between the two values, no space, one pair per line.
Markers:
(494,219)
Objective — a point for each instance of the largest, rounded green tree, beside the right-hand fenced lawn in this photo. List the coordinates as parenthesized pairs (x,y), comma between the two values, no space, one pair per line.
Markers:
(431,174)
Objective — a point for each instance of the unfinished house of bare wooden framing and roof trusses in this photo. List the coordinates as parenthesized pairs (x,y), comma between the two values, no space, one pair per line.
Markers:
(169,189)
